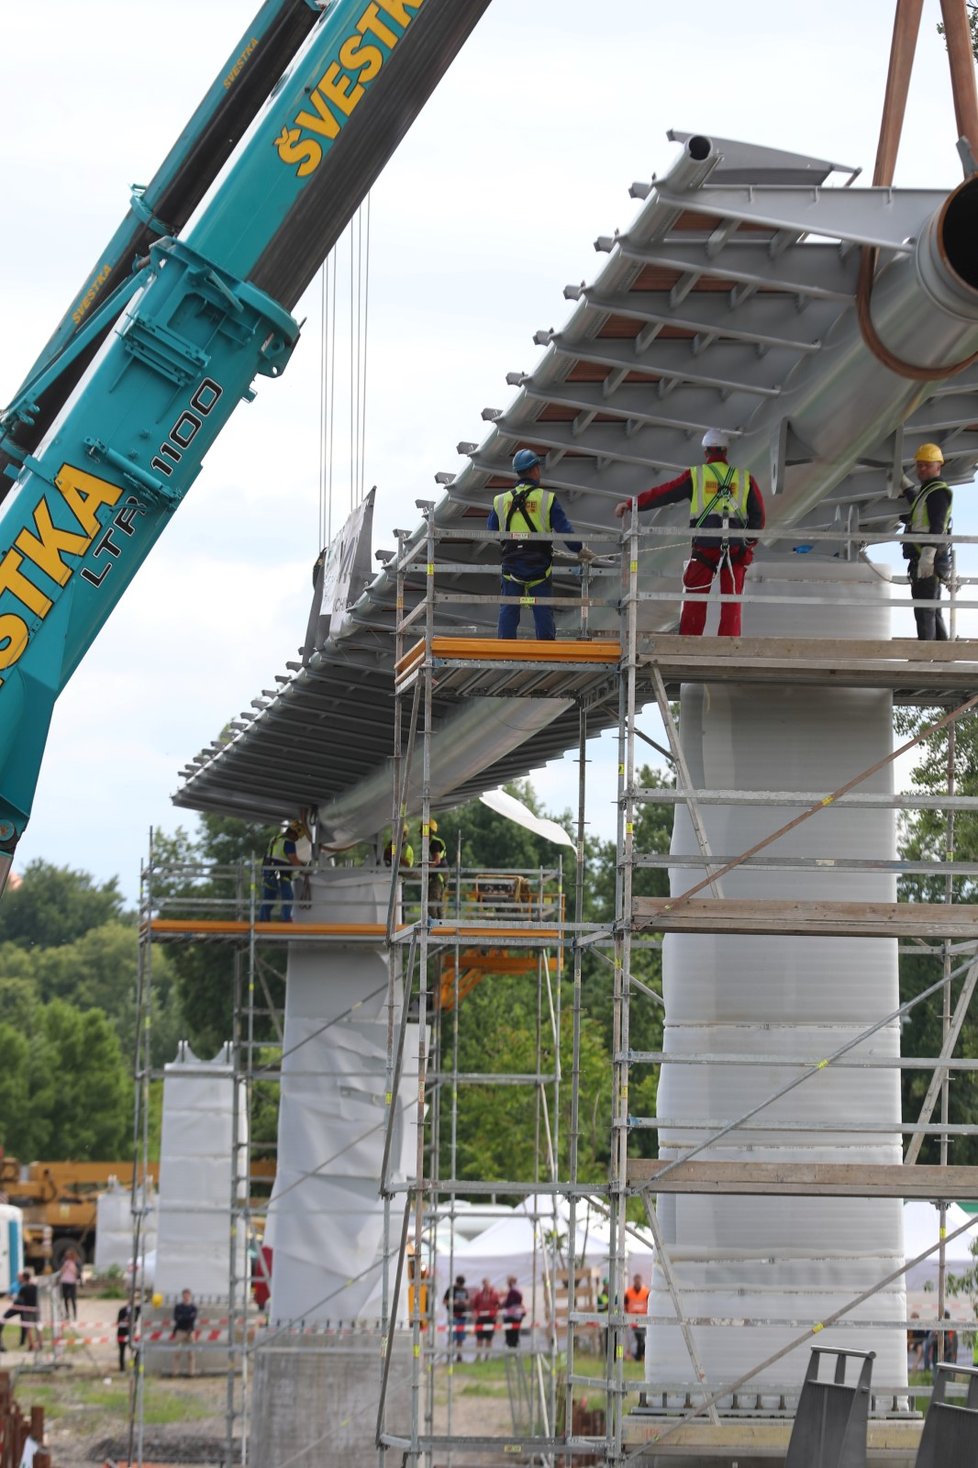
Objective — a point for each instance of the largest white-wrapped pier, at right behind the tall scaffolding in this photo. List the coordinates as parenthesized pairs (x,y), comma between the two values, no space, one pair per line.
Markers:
(788,1002)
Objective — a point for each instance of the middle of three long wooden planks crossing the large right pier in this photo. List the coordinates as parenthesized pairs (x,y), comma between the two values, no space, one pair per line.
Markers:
(792,918)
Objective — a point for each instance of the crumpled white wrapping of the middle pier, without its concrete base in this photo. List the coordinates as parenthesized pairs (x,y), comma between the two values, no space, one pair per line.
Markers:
(327,1215)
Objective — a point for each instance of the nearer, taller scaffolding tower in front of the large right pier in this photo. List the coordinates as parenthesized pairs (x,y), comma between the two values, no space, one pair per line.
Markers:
(640,667)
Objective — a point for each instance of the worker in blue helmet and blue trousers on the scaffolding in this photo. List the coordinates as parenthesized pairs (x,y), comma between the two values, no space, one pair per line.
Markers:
(528,509)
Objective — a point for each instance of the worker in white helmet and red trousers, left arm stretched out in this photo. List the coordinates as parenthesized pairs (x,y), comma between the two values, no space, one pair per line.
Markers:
(720,498)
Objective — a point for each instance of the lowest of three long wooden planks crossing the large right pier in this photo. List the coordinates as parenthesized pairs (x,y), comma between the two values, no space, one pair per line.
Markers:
(807,1180)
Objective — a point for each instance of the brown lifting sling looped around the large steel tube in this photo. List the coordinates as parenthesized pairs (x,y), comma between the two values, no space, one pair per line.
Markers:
(963,70)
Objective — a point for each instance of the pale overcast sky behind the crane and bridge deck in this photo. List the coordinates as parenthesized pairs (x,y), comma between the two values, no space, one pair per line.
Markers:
(521,161)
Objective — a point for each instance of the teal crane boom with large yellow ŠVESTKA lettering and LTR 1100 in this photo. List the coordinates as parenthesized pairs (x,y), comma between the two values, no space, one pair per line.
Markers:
(112,428)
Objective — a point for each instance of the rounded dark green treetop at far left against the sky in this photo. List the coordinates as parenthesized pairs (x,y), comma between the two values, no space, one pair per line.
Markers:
(55,905)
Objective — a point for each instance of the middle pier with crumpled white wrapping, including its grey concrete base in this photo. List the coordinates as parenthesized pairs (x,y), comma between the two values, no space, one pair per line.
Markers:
(327,1216)
